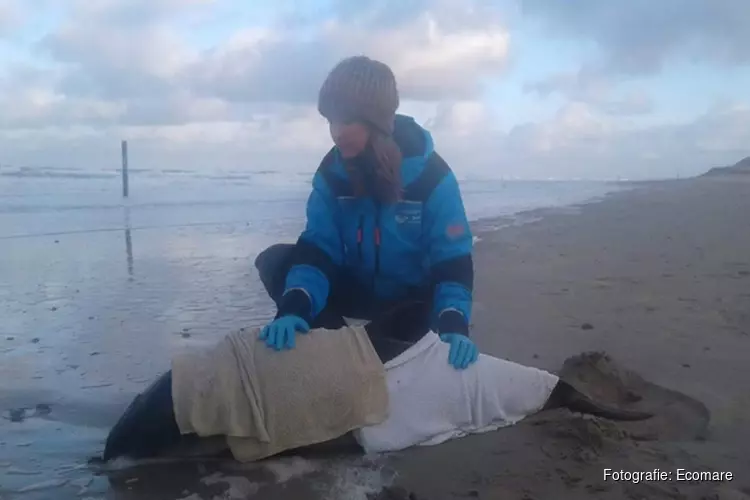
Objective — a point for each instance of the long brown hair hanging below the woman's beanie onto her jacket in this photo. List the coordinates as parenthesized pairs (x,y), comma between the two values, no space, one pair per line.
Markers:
(378,171)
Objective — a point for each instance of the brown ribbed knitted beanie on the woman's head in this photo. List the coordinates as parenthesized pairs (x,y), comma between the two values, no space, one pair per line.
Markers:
(360,88)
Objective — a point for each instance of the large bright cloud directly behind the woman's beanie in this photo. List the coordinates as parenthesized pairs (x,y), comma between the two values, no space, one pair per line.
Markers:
(432,54)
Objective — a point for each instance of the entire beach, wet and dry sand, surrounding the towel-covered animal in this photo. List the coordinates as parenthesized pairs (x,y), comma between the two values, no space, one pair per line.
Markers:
(656,276)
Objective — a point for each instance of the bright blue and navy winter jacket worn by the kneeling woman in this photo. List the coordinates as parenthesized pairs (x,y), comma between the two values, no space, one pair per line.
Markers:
(421,242)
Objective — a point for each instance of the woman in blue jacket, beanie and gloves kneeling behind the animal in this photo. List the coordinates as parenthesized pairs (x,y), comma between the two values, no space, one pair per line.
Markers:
(385,223)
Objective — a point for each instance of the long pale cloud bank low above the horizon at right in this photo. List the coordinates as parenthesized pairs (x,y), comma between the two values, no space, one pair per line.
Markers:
(579,141)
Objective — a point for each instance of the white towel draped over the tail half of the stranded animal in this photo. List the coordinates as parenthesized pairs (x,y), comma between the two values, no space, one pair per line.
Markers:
(432,402)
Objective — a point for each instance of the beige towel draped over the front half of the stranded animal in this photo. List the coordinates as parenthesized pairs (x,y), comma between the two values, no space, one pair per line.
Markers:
(267,402)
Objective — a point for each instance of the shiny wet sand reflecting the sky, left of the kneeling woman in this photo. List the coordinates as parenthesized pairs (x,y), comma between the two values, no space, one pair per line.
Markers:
(81,335)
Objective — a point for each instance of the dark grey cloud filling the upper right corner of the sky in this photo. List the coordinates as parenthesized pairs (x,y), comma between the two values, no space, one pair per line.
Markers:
(638,38)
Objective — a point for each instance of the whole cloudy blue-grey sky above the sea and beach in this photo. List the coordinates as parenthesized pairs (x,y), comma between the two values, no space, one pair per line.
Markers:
(525,88)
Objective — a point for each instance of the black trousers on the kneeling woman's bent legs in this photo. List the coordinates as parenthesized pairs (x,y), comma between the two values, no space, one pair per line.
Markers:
(348,298)
